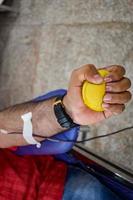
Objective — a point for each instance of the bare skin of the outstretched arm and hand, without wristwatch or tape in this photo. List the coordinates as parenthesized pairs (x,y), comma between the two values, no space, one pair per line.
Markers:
(44,120)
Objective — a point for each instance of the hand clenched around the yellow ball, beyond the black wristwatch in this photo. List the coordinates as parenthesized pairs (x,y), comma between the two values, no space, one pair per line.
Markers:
(114,100)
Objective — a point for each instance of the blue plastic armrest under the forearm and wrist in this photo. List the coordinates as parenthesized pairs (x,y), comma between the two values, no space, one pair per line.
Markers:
(51,147)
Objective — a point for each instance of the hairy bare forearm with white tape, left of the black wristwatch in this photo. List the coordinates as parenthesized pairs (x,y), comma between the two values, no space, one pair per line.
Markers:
(43,120)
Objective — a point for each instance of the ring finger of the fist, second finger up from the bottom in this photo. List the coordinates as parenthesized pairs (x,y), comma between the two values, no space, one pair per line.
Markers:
(118,98)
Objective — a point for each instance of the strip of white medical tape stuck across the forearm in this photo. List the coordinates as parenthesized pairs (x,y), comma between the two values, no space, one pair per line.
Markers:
(28,129)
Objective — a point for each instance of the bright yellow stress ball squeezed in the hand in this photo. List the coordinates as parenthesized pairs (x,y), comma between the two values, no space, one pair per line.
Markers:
(93,94)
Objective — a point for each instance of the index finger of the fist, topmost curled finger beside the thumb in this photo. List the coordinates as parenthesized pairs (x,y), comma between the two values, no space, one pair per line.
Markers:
(116,72)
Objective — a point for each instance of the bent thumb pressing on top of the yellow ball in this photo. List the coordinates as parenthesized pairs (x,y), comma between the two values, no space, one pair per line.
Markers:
(87,72)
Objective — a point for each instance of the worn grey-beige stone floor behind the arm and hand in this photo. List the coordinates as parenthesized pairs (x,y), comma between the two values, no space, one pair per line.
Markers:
(45,40)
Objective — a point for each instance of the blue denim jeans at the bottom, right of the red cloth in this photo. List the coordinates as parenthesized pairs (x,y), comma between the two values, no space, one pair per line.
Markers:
(80,185)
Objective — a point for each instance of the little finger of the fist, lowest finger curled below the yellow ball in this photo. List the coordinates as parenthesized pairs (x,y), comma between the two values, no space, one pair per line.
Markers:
(113,109)
